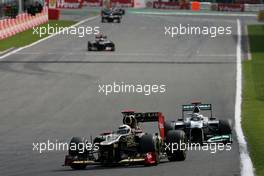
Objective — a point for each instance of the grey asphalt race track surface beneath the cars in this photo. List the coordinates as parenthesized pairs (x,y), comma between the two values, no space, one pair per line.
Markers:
(50,92)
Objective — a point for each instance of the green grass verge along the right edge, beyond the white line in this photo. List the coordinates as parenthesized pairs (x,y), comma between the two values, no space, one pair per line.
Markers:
(253,97)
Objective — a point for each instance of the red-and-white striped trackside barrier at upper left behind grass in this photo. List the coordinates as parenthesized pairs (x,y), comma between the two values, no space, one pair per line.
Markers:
(10,27)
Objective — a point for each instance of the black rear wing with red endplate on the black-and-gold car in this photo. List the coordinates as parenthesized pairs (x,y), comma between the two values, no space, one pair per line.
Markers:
(149,117)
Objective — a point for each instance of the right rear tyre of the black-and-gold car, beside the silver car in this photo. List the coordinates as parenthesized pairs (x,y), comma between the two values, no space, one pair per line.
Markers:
(174,139)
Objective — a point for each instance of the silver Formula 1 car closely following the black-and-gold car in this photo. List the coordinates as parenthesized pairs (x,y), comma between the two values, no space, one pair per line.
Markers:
(201,129)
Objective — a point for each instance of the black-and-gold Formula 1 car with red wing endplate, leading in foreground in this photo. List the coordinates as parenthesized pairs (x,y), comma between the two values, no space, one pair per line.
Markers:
(128,144)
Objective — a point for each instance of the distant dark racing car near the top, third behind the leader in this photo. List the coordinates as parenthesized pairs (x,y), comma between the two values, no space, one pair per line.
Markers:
(110,15)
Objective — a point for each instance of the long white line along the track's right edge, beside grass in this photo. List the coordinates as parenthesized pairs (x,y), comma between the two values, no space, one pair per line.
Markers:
(246,163)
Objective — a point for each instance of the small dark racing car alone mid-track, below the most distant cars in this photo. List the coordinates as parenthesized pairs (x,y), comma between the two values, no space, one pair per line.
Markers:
(101,44)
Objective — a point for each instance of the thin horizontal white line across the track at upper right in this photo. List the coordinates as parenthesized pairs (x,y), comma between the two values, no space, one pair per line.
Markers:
(197,14)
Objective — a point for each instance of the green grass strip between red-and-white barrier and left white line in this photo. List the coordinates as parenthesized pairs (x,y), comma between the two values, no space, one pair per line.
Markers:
(27,37)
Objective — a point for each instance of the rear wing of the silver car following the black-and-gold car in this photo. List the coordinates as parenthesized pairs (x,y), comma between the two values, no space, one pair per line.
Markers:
(197,106)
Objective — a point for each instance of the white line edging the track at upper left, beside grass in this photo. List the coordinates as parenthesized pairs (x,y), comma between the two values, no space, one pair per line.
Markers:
(41,40)
